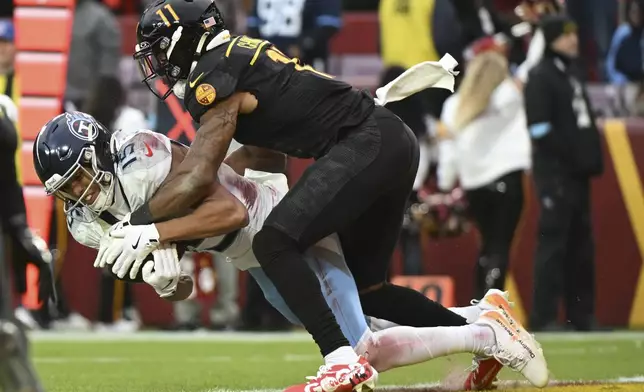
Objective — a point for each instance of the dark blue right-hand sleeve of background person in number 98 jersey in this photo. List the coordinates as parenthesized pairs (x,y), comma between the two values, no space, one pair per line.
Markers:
(328,21)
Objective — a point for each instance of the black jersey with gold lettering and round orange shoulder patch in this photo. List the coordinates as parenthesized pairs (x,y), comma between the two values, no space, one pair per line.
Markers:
(300,110)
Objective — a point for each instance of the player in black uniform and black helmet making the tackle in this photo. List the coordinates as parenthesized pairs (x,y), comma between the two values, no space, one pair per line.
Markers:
(365,164)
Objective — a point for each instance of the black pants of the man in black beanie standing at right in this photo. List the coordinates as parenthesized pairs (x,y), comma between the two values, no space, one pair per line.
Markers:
(565,256)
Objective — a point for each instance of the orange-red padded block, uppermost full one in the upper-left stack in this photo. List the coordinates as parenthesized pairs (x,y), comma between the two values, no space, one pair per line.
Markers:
(54,27)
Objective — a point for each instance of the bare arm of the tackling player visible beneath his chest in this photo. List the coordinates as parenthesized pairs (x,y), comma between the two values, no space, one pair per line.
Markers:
(256,158)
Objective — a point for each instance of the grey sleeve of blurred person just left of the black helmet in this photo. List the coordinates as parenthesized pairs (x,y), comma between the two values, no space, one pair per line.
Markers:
(108,35)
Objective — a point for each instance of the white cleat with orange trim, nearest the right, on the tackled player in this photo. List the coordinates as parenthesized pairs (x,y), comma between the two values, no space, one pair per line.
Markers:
(515,347)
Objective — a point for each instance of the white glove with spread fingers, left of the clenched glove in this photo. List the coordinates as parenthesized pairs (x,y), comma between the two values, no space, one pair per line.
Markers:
(126,245)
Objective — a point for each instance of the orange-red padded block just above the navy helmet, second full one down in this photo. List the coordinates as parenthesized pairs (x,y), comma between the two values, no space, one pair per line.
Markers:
(42,74)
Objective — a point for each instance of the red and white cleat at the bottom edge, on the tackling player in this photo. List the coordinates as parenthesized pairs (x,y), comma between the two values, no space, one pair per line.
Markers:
(358,377)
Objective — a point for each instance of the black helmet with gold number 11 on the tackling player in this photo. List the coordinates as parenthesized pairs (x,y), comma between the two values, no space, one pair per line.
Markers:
(171,34)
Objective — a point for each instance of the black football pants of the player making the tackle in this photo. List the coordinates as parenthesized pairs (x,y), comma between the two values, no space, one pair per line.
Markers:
(359,190)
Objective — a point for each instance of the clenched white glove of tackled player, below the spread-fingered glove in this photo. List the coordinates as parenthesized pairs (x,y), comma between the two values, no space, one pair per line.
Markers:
(163,273)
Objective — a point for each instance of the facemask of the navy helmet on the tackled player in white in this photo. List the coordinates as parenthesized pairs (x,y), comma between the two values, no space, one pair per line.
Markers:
(86,169)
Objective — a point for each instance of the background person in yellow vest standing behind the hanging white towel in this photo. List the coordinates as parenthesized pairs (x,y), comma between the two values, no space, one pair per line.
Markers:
(434,26)
